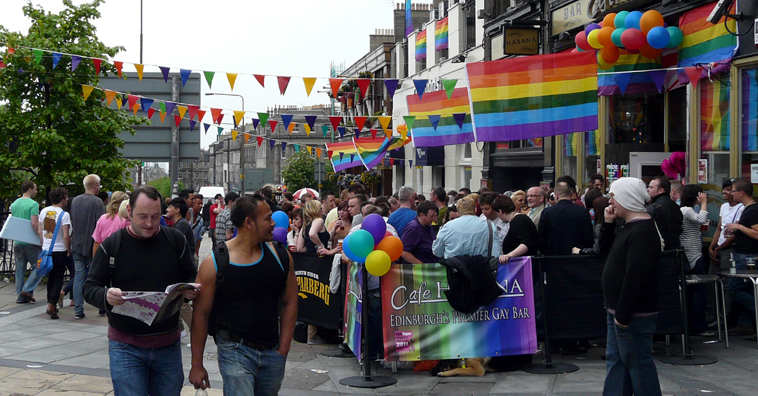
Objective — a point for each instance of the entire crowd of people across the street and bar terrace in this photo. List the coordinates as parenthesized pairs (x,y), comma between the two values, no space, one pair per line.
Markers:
(245,293)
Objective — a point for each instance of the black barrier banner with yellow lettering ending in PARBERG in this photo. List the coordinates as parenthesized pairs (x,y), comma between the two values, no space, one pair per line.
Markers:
(316,304)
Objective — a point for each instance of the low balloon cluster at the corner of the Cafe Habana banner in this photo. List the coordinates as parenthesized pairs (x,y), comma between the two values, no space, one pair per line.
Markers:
(373,245)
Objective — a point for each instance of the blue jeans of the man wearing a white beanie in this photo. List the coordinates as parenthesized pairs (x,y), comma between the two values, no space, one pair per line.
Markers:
(629,358)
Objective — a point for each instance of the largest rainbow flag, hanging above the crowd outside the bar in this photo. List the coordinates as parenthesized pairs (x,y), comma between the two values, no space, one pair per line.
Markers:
(533,96)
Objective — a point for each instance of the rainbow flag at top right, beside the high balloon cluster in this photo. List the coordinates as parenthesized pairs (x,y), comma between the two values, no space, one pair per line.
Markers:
(705,42)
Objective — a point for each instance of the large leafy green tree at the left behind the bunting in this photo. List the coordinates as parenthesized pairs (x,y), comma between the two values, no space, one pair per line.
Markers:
(49,129)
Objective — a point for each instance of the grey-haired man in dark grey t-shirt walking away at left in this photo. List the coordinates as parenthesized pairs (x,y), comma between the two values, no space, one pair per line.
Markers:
(86,209)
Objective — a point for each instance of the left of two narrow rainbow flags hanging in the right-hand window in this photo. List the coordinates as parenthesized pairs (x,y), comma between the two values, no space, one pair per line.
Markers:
(714,116)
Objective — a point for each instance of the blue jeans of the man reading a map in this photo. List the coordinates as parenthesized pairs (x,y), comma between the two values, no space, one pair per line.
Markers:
(139,371)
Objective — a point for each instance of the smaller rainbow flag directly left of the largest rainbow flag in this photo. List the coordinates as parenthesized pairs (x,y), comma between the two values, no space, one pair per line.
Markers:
(448,132)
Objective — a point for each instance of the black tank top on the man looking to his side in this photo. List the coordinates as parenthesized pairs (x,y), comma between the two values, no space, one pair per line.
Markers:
(248,303)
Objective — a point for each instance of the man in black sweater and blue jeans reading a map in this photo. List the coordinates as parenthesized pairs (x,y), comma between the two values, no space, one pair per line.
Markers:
(145,257)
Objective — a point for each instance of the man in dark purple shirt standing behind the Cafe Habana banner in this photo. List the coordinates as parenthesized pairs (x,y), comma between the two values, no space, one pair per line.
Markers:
(419,236)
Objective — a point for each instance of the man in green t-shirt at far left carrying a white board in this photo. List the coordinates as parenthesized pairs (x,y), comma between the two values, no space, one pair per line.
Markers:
(26,208)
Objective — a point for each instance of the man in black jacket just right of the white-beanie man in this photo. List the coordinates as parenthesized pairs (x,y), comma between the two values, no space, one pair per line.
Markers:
(667,215)
